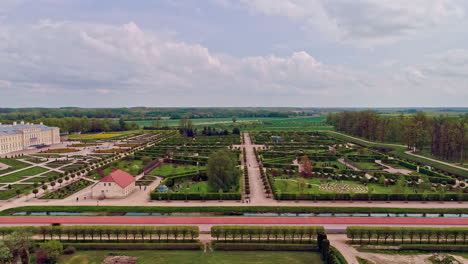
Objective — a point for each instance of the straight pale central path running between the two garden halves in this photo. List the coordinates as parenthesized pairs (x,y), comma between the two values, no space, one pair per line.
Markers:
(257,190)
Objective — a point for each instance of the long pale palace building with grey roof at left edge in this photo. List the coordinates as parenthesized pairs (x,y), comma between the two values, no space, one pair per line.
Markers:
(21,136)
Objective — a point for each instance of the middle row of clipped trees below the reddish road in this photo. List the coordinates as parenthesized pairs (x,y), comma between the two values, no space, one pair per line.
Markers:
(266,233)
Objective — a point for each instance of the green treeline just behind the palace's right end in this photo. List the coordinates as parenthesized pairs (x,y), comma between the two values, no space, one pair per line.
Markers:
(86,125)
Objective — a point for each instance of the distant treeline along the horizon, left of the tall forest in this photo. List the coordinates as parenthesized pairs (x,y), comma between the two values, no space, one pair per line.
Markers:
(138,113)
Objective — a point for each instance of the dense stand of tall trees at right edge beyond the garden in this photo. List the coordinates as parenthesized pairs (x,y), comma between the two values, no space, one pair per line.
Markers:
(444,136)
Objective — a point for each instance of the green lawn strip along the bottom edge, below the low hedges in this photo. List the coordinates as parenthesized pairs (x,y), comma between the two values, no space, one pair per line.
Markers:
(192,257)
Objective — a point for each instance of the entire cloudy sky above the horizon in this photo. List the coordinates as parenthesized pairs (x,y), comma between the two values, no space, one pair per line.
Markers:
(312,53)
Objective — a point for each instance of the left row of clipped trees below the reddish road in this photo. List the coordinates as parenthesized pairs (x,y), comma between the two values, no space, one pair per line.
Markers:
(100,233)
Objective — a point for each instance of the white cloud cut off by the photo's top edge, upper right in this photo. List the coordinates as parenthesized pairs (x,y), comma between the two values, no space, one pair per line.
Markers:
(364,23)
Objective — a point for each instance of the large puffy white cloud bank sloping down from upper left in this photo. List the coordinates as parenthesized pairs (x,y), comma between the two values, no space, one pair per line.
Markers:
(73,56)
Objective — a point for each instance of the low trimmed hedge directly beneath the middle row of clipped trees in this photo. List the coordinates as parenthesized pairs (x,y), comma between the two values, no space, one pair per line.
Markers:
(263,246)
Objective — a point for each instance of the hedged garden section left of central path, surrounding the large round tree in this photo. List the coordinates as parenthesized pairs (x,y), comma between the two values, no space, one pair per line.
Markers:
(187,157)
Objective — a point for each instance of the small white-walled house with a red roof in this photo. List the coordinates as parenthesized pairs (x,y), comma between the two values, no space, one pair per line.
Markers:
(117,184)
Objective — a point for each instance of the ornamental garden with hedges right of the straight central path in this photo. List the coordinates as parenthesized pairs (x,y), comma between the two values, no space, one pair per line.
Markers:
(318,166)
